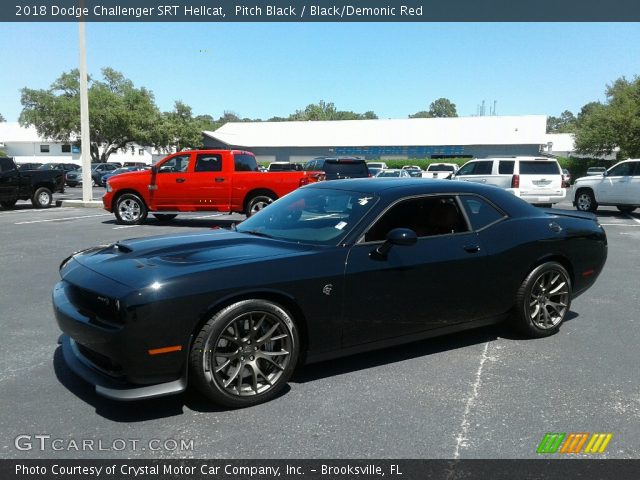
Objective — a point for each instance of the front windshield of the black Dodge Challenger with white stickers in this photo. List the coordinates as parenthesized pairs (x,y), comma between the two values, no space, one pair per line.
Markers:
(318,216)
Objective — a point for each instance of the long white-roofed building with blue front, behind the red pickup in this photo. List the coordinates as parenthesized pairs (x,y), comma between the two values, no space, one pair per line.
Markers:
(386,139)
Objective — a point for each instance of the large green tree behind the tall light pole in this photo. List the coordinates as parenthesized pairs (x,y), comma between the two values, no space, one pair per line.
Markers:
(119,113)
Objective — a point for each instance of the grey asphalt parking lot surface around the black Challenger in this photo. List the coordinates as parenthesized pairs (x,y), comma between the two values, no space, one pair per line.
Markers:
(483,394)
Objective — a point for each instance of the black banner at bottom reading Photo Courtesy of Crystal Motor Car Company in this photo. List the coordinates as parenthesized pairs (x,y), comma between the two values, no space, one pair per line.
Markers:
(320,469)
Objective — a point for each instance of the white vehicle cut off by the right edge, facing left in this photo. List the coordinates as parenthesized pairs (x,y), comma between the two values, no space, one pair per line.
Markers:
(619,186)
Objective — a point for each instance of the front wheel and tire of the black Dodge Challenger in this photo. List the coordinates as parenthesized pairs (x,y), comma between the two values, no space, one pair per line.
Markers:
(245,354)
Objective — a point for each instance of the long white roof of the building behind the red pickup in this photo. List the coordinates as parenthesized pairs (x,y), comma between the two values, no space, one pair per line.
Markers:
(492,130)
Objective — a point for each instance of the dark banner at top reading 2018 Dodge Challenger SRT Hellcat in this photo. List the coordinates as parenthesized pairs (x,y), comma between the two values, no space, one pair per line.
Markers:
(319,11)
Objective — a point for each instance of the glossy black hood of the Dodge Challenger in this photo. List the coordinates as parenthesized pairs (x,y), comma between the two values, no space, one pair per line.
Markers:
(139,262)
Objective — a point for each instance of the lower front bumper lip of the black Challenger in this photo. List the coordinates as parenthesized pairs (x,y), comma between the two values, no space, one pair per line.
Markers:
(111,387)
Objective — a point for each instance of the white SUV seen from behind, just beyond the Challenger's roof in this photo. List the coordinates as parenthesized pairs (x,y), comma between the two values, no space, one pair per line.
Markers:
(538,180)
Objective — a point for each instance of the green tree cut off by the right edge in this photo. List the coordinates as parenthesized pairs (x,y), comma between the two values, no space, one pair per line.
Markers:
(616,123)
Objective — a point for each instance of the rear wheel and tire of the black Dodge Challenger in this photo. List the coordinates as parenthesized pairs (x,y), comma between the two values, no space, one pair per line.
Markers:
(543,300)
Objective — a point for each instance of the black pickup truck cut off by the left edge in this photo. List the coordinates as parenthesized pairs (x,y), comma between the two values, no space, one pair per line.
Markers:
(37,185)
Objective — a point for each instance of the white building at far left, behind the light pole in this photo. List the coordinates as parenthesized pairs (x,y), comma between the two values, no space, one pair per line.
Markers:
(25,145)
